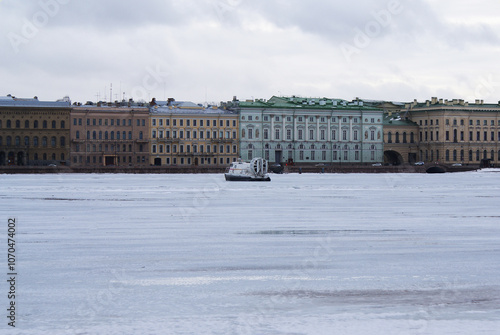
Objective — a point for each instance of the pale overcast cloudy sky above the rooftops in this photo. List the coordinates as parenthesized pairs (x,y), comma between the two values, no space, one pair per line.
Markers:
(207,51)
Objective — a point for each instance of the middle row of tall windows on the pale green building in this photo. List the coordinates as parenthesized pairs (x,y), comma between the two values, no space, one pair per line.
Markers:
(346,134)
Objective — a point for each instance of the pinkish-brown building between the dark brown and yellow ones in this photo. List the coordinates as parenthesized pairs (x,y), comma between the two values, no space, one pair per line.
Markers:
(110,135)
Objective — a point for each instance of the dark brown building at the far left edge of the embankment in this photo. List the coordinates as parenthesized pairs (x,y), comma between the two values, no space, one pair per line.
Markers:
(34,132)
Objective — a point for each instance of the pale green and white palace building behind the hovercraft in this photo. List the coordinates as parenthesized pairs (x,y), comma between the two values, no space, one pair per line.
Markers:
(303,130)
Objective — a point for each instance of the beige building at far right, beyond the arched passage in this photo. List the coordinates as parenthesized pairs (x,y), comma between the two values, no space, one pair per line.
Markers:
(454,131)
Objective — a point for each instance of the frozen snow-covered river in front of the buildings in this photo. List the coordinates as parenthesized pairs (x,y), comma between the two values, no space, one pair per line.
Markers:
(303,254)
